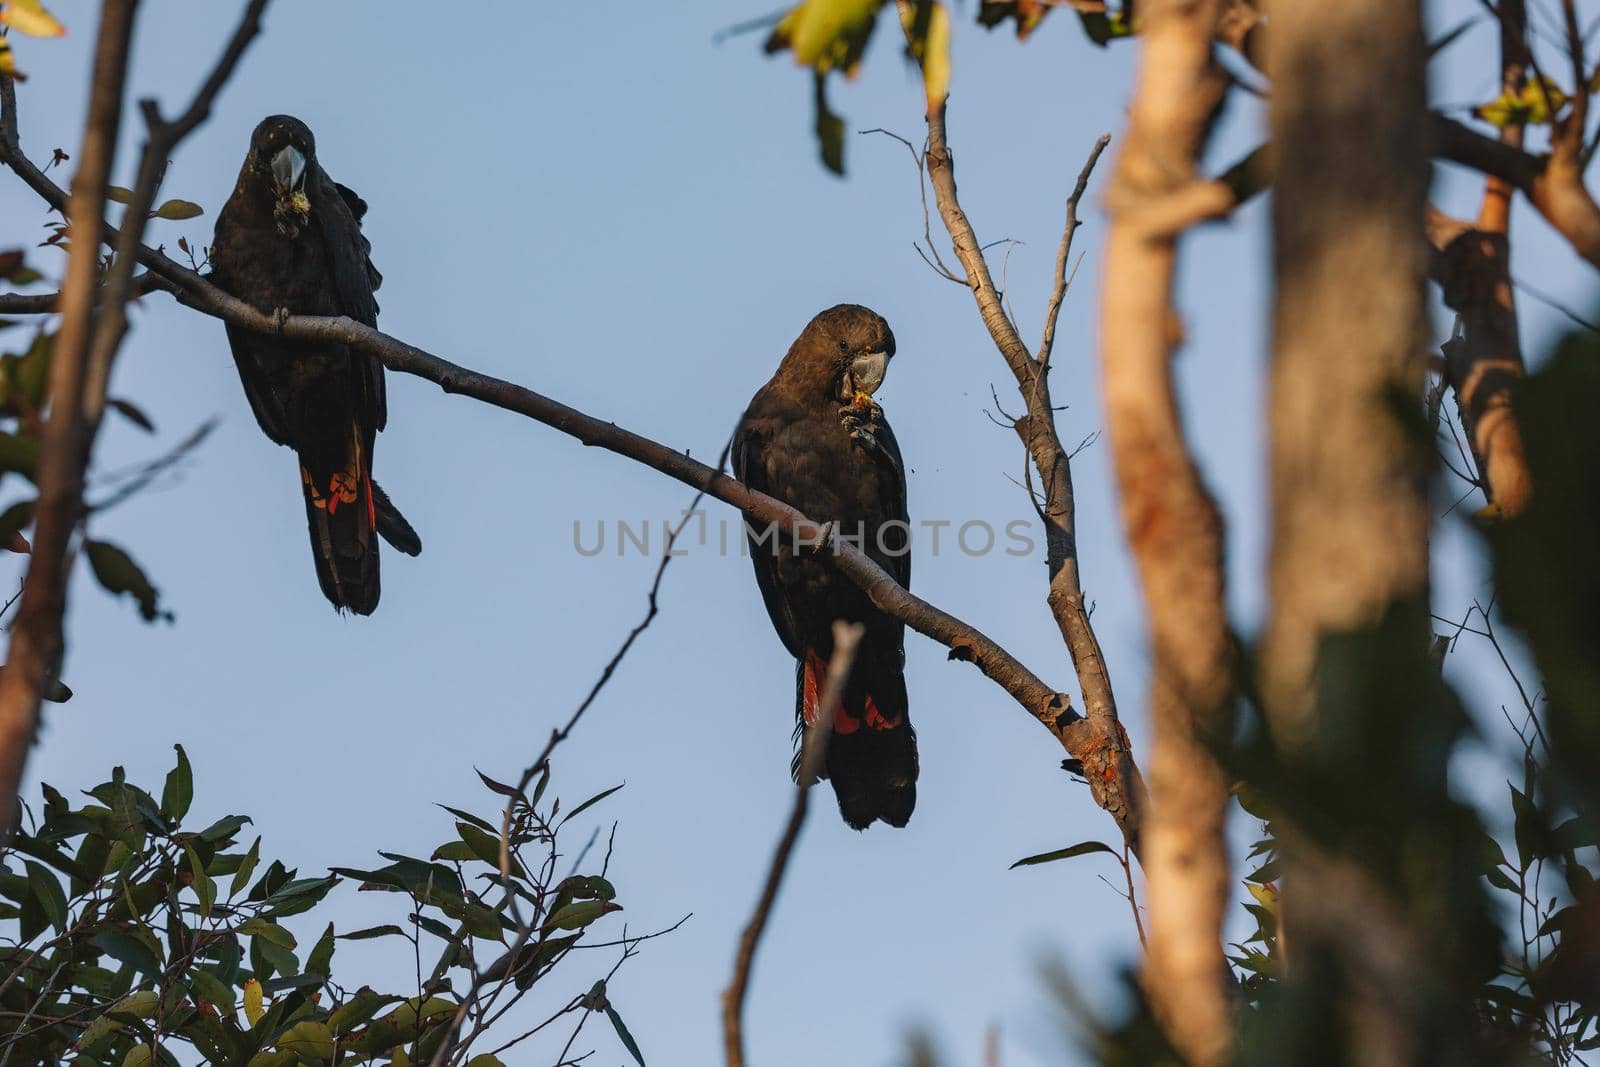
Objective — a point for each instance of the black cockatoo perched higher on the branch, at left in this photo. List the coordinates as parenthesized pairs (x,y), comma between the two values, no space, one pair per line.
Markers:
(290,242)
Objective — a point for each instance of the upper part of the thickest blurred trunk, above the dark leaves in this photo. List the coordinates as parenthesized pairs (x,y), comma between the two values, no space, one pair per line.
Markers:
(1350,508)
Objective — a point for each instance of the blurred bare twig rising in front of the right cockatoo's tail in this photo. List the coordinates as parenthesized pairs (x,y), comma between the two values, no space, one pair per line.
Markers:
(847,636)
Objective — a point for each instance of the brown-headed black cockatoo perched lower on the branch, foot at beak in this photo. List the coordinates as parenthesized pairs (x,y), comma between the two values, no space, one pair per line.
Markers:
(815,439)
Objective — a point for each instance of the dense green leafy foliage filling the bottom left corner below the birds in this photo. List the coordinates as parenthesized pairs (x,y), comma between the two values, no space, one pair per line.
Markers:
(129,938)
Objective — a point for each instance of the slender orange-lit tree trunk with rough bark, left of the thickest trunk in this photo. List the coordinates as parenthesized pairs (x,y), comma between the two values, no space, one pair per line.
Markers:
(1174,526)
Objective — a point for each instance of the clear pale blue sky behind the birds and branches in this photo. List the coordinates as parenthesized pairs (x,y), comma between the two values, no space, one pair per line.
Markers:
(599,202)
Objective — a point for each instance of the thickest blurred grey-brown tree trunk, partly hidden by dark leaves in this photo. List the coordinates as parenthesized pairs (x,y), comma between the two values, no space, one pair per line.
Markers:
(1350,474)
